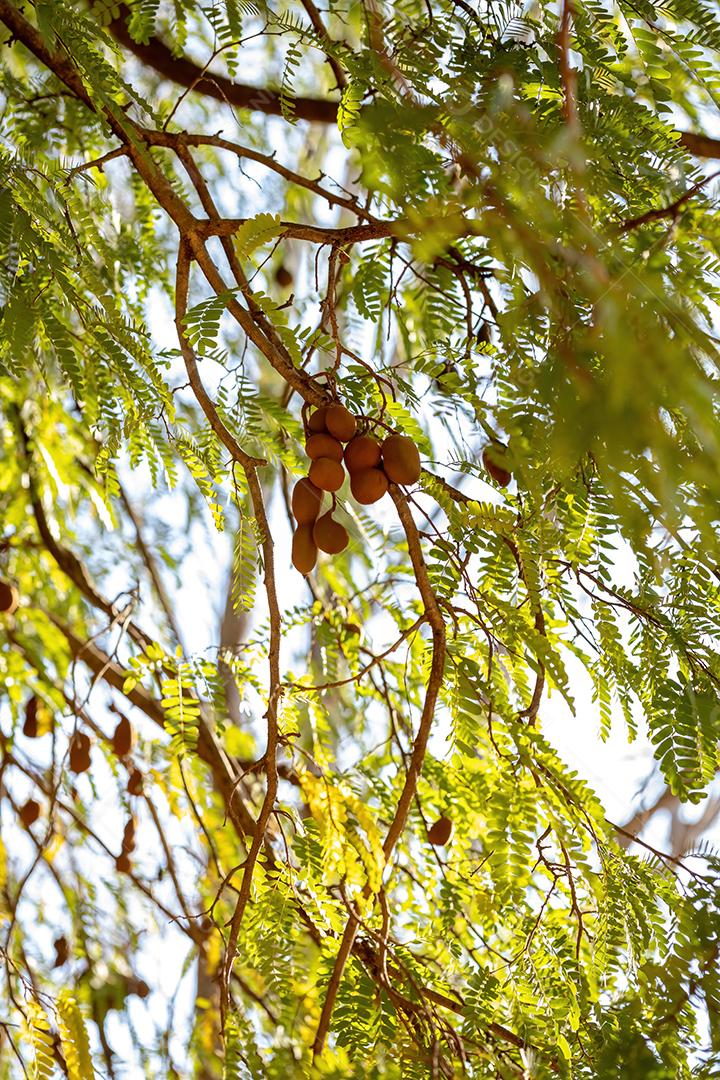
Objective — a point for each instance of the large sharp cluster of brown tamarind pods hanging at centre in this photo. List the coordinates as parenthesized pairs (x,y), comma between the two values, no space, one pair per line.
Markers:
(334,445)
